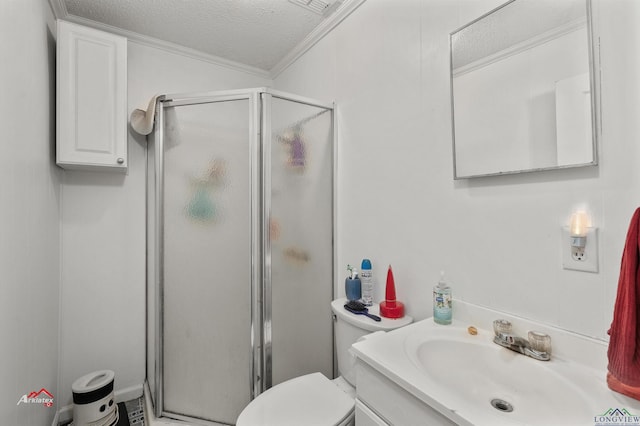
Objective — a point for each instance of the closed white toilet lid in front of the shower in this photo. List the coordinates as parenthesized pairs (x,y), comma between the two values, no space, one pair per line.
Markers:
(306,400)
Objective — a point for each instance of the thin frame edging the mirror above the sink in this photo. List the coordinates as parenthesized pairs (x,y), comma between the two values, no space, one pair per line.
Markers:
(593,49)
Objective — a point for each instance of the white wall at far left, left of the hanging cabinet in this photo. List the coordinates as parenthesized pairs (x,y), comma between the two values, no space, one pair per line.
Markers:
(29,193)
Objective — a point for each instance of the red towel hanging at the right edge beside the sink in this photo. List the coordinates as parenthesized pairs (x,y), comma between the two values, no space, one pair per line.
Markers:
(624,345)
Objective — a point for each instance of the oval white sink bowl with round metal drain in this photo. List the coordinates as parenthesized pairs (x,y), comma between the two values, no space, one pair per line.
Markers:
(491,380)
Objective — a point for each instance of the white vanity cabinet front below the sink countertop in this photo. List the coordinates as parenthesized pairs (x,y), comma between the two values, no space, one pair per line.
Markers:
(379,401)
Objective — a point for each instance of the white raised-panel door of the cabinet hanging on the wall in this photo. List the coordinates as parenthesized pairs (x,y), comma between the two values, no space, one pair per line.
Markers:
(91,98)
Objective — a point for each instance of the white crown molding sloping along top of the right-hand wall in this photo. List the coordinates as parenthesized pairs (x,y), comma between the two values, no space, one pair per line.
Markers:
(346,9)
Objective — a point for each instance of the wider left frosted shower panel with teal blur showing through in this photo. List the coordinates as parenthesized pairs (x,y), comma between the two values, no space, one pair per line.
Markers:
(207,253)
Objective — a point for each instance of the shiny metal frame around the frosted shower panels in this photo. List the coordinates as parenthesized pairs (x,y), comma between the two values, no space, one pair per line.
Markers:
(260,177)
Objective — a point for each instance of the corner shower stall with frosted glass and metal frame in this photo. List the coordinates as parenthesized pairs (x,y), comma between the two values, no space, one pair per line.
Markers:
(240,257)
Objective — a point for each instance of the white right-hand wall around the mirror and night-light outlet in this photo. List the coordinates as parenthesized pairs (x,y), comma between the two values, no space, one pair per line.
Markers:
(498,239)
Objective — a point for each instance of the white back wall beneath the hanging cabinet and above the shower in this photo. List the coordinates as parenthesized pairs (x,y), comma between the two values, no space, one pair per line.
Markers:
(103,233)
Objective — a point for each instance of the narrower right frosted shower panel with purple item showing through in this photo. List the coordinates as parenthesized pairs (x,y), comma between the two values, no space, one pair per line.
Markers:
(301,231)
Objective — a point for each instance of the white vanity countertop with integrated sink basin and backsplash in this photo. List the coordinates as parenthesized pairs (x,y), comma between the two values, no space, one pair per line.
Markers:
(457,375)
